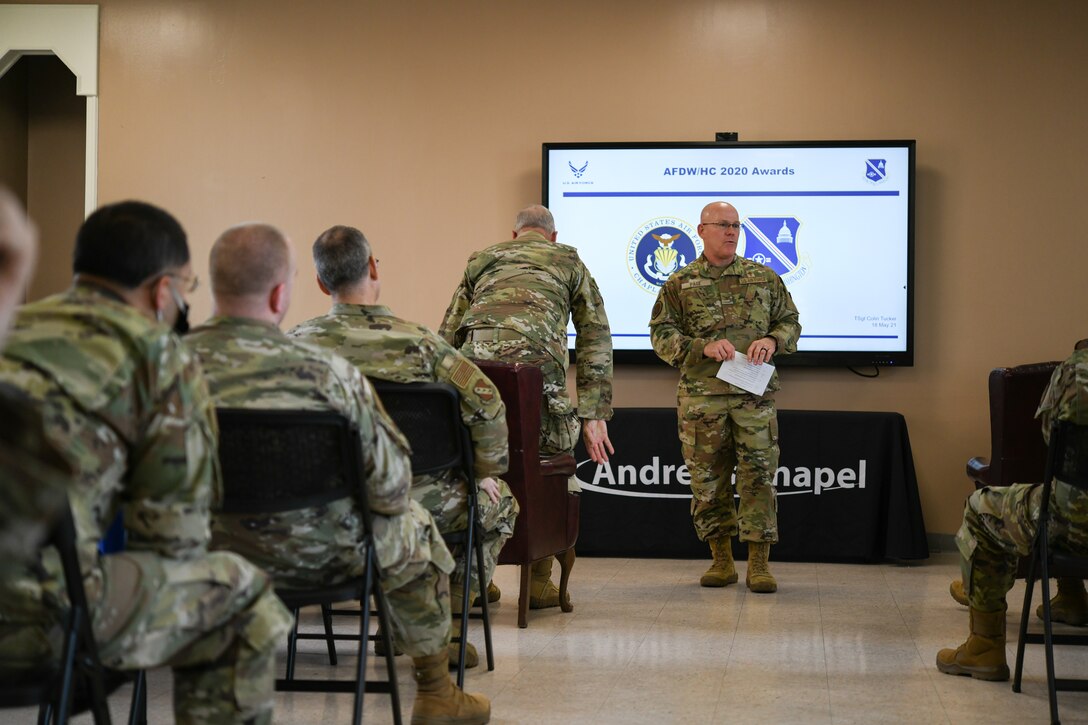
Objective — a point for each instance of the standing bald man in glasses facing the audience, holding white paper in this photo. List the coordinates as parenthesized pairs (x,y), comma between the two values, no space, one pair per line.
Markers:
(706,314)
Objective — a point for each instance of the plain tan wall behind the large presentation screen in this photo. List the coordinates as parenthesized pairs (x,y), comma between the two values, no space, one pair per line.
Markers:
(422,124)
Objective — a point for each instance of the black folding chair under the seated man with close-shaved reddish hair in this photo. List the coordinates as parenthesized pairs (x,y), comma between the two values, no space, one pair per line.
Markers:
(277,461)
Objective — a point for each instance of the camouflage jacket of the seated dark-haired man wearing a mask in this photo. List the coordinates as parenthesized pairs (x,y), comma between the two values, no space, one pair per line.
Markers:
(128,405)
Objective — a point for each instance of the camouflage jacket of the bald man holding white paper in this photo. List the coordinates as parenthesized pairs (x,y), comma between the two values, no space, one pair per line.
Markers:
(701,303)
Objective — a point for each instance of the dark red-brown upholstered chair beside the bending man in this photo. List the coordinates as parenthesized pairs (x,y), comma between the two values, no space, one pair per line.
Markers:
(548,524)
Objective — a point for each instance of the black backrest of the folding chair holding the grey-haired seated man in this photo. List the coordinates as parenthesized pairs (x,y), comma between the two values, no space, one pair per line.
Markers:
(430,417)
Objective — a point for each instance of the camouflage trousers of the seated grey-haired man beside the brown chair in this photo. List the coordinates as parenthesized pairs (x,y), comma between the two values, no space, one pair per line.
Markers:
(447,500)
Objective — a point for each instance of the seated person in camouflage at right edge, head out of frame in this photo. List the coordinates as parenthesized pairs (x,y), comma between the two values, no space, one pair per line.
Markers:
(999,526)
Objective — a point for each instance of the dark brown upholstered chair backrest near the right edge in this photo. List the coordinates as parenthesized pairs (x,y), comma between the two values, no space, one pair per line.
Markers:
(1018,451)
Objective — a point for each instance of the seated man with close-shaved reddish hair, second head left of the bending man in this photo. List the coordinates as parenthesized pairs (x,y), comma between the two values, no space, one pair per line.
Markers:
(251,364)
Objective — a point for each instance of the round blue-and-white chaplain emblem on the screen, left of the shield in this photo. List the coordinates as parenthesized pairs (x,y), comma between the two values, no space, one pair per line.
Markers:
(659,249)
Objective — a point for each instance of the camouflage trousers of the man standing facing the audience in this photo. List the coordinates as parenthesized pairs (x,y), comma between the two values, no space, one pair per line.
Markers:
(718,435)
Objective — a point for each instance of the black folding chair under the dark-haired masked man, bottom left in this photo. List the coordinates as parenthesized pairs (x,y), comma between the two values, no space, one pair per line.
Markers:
(54,690)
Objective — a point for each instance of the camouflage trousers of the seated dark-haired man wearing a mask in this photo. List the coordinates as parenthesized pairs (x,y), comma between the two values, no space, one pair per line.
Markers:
(215,620)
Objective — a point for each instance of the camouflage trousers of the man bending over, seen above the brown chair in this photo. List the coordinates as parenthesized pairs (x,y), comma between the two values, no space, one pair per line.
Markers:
(560,424)
